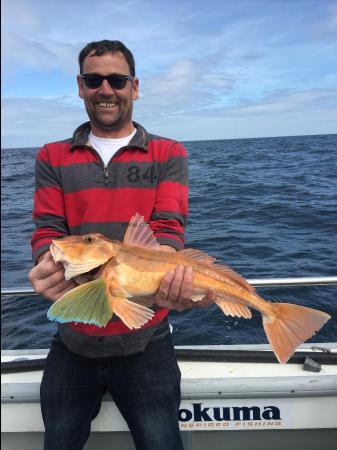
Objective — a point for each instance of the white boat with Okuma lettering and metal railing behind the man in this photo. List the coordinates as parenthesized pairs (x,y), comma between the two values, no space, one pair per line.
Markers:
(233,397)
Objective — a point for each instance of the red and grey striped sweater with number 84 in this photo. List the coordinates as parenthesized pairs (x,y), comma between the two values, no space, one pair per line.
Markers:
(76,194)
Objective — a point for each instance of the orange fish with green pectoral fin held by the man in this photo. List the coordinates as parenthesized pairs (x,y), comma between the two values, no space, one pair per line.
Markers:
(122,278)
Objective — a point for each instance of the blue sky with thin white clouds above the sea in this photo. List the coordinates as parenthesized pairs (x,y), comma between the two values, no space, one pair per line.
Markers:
(208,69)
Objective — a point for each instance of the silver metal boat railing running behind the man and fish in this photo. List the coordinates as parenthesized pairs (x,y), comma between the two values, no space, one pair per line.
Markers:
(258,282)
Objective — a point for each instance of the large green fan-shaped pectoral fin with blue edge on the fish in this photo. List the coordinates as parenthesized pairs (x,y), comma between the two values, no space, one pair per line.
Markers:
(87,303)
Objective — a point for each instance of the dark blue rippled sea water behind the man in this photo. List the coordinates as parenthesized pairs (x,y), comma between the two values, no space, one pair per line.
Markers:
(266,207)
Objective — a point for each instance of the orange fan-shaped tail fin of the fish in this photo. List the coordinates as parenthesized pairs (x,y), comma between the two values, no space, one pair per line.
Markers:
(289,325)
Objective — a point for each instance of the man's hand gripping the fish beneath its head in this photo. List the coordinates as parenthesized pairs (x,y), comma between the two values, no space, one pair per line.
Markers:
(47,278)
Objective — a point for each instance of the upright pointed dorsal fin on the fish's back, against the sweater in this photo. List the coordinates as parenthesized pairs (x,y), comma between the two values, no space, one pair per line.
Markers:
(139,234)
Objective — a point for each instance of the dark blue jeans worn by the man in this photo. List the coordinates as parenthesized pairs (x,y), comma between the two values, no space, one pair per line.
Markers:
(145,387)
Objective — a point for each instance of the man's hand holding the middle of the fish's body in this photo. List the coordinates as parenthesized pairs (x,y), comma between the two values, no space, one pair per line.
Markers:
(176,289)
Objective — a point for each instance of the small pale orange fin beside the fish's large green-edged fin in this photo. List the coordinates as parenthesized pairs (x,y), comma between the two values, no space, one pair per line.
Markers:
(132,314)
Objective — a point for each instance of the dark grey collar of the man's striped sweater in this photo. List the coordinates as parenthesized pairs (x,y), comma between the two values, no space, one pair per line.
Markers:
(81,137)
